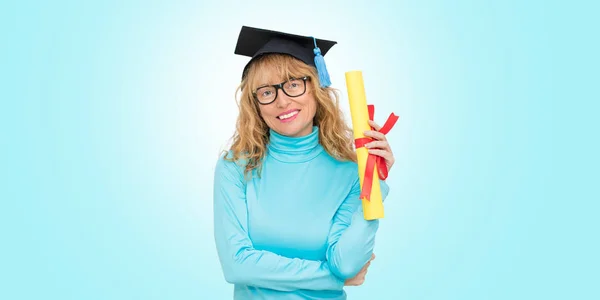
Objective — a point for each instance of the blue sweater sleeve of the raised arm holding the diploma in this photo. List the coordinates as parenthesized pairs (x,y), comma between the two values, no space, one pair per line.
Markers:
(352,238)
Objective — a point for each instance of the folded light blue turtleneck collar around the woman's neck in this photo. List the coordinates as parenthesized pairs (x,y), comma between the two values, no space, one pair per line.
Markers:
(294,149)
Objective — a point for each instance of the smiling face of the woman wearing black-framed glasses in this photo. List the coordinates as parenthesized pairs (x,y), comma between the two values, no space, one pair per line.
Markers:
(290,116)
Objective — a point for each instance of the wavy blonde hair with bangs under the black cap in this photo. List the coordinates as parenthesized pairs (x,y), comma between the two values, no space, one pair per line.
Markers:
(252,133)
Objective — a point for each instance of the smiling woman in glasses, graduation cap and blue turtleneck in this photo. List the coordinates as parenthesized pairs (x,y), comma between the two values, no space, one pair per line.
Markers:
(287,215)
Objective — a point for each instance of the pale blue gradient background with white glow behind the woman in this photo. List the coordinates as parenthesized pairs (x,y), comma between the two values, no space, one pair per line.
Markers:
(113,114)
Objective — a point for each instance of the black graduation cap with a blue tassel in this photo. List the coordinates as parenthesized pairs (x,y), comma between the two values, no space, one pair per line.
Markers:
(255,42)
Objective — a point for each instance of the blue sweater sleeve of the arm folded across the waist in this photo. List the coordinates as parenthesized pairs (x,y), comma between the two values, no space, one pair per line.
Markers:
(244,265)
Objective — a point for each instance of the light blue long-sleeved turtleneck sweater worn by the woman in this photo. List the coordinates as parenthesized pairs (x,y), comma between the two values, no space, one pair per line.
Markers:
(295,232)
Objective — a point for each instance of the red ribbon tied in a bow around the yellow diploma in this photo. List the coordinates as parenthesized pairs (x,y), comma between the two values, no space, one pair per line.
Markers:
(374,160)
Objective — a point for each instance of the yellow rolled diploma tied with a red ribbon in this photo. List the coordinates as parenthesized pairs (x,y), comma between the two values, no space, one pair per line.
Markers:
(373,208)
